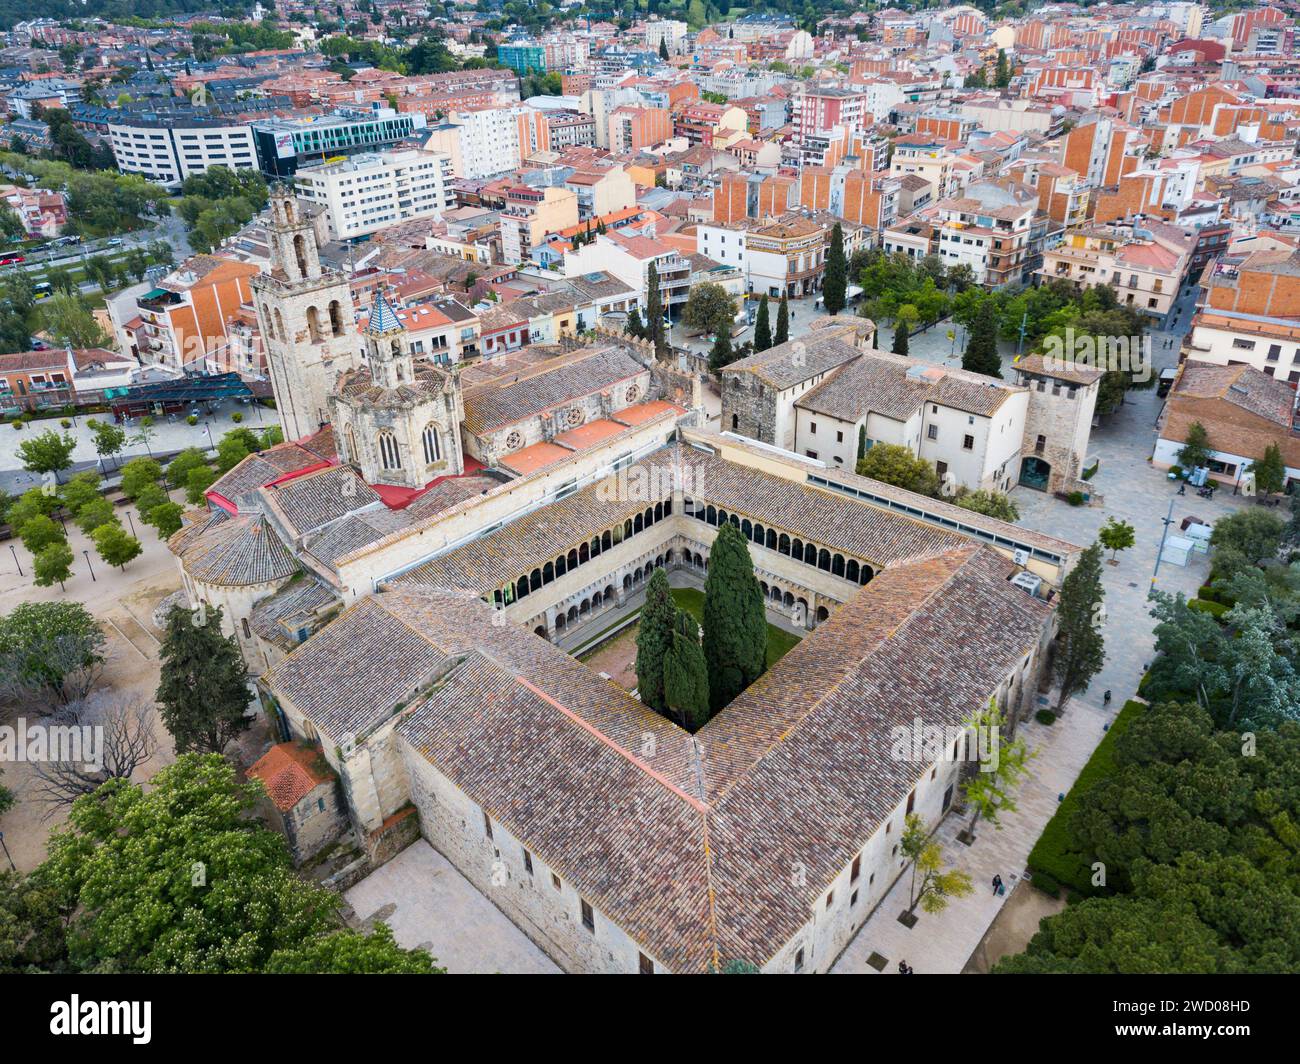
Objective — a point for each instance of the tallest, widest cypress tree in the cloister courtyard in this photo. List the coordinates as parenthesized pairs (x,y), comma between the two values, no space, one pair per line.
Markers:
(735,625)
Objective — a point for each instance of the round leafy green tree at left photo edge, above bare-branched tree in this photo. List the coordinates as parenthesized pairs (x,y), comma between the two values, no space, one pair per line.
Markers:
(50,650)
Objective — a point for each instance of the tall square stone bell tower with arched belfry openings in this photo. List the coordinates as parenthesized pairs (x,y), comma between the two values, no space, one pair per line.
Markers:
(306,318)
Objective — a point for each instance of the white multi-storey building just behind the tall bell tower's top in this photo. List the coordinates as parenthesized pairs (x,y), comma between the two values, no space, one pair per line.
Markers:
(372,192)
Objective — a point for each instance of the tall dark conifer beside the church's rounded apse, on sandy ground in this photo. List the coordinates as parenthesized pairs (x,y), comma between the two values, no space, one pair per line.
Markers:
(203,689)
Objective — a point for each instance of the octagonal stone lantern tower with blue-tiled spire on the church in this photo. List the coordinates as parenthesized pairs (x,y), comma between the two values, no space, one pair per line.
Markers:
(398,419)
